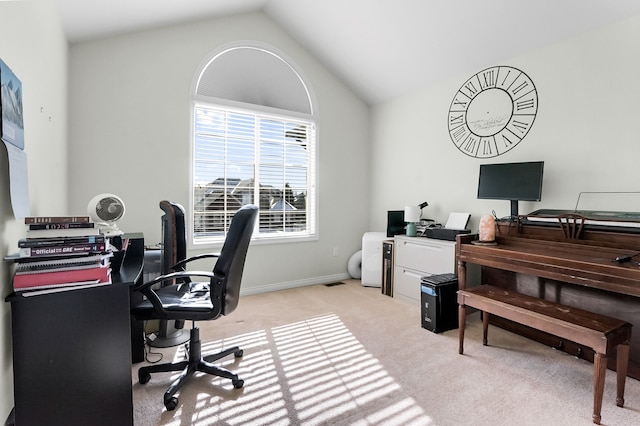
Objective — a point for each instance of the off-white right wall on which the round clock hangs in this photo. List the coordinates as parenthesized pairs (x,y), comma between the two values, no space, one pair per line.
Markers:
(585,131)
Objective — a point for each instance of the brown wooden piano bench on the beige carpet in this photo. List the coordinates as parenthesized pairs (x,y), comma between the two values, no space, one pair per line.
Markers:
(599,332)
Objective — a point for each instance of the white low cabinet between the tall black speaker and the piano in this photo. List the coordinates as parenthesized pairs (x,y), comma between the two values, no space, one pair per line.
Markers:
(416,257)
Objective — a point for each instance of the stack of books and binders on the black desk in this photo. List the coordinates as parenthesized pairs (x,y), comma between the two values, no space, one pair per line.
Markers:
(61,253)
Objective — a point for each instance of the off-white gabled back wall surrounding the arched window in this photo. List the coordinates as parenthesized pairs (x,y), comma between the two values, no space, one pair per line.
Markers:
(129,135)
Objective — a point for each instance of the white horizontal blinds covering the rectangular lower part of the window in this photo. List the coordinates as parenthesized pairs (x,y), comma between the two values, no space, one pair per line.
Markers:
(245,157)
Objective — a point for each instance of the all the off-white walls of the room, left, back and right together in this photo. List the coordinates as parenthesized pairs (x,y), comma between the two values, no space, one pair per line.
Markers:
(129,127)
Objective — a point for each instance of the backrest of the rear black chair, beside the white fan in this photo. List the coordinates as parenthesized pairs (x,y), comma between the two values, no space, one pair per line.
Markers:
(174,239)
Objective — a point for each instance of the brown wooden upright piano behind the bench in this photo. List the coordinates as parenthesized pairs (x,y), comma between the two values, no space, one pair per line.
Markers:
(575,267)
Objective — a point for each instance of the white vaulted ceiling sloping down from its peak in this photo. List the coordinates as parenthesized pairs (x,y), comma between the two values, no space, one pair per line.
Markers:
(380,48)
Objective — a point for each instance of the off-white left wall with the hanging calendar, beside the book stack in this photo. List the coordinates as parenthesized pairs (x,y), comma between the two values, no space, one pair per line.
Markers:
(33,46)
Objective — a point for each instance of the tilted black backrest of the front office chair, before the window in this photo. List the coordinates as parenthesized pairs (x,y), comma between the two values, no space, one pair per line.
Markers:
(230,264)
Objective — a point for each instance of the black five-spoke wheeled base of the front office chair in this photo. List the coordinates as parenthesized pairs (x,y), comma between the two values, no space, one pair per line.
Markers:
(196,362)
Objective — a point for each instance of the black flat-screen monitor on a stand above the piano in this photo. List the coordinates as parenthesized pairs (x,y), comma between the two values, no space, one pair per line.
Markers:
(511,181)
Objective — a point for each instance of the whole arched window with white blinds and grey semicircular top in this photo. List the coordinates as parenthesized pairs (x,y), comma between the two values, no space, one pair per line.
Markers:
(254,142)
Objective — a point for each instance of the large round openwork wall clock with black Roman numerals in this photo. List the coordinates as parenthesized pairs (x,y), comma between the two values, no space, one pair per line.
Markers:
(492,112)
